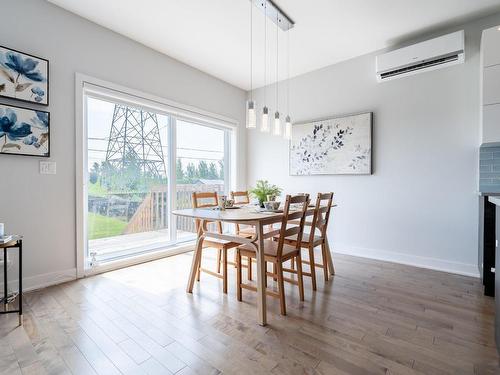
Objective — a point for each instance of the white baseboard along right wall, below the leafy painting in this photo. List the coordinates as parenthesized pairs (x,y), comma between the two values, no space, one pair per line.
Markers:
(411,260)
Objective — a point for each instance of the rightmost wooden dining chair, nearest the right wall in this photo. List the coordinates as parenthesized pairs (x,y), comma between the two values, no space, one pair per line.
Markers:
(316,237)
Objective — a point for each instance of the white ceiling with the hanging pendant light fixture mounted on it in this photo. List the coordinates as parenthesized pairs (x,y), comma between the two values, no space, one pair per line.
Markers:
(214,36)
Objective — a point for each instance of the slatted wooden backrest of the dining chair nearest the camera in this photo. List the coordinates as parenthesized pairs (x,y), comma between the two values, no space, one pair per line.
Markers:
(289,218)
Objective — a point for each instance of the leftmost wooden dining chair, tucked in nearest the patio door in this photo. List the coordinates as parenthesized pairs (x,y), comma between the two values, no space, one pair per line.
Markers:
(208,200)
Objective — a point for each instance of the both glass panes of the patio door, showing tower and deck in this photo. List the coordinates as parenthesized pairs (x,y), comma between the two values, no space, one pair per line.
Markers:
(142,162)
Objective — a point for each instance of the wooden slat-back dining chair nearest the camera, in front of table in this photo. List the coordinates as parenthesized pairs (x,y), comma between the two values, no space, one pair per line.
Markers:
(278,252)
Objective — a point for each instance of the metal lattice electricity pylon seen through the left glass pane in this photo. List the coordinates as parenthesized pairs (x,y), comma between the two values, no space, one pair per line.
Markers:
(134,139)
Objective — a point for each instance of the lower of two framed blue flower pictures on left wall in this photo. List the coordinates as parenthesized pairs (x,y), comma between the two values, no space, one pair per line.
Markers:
(24,131)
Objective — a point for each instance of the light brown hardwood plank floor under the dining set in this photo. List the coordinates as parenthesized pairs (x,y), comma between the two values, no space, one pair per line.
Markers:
(373,318)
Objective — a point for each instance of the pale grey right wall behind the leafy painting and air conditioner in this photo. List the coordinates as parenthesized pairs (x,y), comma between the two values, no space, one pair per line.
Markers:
(420,206)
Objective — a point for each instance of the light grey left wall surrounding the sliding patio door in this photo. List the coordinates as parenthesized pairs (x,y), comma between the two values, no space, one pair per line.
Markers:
(42,207)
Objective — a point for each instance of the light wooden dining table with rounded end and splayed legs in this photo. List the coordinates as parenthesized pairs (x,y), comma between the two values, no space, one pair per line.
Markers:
(243,215)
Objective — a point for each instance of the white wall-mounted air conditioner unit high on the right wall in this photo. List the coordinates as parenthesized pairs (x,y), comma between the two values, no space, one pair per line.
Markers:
(432,54)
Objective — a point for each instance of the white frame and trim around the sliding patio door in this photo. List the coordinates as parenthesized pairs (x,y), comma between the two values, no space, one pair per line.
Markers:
(85,87)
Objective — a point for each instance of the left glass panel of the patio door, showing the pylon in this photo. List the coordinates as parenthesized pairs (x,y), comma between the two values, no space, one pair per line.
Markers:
(127,188)
